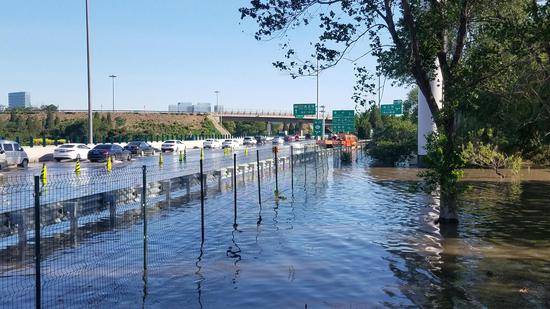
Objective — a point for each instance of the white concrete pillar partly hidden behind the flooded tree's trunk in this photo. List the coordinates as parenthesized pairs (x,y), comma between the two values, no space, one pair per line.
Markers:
(426,124)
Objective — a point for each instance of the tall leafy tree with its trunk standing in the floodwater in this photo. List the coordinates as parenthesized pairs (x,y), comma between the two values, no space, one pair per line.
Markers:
(425,37)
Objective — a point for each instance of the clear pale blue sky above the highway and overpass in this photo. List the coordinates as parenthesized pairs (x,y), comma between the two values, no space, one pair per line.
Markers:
(163,52)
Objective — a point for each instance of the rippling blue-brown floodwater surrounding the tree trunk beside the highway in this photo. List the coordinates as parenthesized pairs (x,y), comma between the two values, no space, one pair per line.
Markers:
(346,236)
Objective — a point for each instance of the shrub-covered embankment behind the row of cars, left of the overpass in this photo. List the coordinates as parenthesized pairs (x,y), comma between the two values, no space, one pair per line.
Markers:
(48,123)
